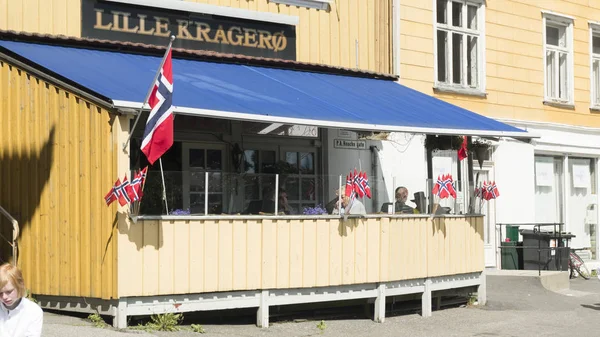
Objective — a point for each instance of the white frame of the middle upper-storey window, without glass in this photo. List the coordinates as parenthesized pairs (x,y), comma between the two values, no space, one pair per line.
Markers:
(559,20)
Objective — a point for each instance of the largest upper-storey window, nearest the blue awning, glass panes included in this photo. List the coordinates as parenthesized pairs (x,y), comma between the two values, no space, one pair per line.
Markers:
(459,44)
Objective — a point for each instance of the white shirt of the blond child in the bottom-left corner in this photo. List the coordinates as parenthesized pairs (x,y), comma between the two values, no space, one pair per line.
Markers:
(23,321)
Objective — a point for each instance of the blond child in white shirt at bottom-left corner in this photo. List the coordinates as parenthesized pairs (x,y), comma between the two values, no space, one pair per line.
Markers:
(19,317)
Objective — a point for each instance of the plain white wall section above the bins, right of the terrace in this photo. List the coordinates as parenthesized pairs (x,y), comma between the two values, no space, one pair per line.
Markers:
(514,173)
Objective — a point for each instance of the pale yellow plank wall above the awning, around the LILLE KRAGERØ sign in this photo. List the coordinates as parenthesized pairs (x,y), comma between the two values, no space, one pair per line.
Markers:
(328,37)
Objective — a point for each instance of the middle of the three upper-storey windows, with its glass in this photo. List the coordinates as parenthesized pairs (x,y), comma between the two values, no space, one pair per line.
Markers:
(558,58)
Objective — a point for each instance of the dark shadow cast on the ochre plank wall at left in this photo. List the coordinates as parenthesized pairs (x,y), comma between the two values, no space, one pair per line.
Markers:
(23,177)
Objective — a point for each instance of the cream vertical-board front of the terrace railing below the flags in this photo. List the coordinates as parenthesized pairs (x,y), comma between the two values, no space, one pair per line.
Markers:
(161,257)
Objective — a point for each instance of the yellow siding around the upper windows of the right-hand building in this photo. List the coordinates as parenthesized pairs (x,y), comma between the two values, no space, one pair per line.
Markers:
(514,59)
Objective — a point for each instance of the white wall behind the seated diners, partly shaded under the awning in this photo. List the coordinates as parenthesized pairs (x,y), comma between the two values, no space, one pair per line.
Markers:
(401,157)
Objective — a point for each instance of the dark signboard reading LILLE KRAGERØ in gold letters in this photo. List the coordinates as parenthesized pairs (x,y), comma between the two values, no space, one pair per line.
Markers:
(124,22)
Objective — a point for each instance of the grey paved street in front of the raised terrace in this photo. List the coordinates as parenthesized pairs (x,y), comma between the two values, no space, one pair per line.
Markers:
(517,306)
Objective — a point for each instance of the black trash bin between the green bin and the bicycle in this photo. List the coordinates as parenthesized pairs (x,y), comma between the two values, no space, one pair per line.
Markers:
(545,259)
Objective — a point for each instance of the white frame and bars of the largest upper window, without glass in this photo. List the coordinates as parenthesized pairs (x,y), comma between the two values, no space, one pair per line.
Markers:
(479,90)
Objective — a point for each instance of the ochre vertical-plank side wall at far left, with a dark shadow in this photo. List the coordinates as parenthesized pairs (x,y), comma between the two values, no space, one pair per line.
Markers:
(58,157)
